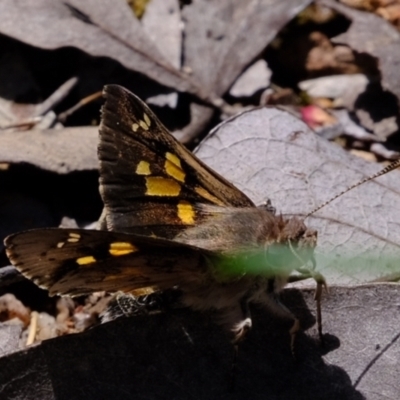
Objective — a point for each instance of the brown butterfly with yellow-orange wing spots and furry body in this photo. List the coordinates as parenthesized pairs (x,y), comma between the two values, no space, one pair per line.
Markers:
(169,221)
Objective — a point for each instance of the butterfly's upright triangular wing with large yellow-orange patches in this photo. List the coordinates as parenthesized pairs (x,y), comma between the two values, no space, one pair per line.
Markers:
(149,182)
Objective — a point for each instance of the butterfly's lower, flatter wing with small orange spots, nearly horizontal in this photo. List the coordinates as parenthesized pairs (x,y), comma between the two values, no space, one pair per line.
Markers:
(76,261)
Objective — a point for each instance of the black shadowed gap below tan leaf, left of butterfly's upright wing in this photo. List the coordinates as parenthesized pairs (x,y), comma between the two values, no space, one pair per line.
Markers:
(33,198)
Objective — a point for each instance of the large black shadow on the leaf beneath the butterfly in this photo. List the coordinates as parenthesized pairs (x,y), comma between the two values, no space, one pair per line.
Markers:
(180,355)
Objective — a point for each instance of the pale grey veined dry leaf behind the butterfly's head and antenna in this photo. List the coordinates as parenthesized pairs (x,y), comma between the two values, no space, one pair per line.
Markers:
(268,153)
